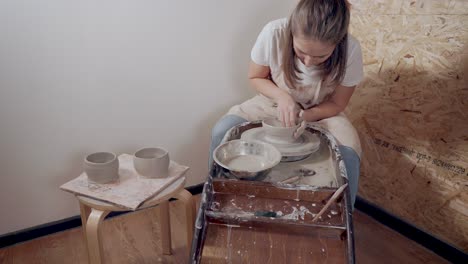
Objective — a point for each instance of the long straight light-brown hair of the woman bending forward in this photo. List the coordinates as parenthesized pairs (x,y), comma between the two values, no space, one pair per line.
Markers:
(321,20)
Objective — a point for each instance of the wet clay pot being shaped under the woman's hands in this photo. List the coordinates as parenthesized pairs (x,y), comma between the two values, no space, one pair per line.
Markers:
(277,133)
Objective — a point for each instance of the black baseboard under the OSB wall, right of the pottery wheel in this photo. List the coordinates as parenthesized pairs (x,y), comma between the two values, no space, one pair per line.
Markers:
(439,247)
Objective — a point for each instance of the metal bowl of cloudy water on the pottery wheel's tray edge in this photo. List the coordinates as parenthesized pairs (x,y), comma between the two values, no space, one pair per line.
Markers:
(247,160)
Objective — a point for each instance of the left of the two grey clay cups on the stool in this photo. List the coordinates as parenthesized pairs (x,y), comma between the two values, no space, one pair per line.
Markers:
(101,167)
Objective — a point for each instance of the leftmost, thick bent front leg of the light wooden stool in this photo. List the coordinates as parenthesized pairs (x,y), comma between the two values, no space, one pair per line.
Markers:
(93,236)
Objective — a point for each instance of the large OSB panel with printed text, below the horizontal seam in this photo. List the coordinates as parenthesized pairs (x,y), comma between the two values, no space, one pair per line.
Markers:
(412,115)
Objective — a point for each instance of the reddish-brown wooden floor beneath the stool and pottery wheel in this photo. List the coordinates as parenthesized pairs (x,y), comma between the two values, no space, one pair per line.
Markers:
(134,238)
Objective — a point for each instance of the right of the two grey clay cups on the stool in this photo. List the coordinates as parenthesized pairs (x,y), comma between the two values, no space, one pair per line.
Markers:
(152,162)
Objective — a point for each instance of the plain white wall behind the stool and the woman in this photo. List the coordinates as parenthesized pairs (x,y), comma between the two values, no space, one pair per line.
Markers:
(84,76)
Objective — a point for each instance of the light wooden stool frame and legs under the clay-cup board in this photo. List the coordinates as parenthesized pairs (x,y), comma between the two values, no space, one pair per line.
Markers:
(94,211)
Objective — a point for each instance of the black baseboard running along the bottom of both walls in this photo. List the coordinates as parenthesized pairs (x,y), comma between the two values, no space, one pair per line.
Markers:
(439,247)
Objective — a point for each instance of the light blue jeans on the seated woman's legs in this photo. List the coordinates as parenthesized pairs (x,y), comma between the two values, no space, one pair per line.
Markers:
(350,157)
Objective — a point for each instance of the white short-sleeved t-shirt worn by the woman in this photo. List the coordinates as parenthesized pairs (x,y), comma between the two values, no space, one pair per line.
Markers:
(267,51)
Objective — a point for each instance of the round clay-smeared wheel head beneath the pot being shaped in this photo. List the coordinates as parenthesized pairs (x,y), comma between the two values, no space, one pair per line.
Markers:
(306,144)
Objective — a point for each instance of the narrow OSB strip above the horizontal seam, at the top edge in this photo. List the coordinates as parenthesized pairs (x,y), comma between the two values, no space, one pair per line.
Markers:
(410,7)
